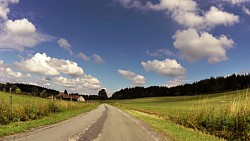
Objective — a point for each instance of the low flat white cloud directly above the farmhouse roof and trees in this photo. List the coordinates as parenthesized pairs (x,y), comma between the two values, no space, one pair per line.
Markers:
(85,81)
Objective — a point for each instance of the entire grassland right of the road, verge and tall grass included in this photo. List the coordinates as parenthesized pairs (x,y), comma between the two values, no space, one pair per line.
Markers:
(224,115)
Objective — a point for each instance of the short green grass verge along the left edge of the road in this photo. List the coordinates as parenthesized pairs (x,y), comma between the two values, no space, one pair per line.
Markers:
(18,127)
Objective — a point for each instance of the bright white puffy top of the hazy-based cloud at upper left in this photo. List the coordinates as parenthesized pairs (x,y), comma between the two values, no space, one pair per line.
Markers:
(22,26)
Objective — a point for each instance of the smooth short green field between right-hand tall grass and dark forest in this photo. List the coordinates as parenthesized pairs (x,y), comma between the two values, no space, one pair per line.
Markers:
(181,104)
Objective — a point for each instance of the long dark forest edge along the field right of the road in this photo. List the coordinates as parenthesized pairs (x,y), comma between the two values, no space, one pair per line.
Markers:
(206,86)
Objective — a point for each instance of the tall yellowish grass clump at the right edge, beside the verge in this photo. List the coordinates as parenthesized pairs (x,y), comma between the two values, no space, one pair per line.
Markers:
(230,121)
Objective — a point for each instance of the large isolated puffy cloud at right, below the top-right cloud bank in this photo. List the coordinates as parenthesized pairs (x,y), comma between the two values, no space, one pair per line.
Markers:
(194,46)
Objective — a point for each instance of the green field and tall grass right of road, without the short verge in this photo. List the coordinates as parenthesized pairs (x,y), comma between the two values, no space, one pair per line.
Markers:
(229,119)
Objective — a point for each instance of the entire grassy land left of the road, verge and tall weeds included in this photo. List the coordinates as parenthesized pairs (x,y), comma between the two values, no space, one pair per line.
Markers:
(28,112)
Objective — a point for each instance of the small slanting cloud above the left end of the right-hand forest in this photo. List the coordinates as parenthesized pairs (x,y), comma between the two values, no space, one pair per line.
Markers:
(133,77)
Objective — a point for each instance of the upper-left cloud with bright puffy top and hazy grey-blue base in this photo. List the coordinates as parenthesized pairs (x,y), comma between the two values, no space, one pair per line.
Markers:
(20,34)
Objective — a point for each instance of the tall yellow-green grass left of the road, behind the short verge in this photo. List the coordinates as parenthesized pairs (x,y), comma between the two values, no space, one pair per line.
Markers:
(31,110)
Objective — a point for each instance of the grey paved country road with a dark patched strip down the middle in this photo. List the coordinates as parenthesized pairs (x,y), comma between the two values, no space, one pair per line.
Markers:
(106,123)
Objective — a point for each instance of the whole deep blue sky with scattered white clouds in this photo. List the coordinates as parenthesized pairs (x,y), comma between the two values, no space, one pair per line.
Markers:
(85,46)
